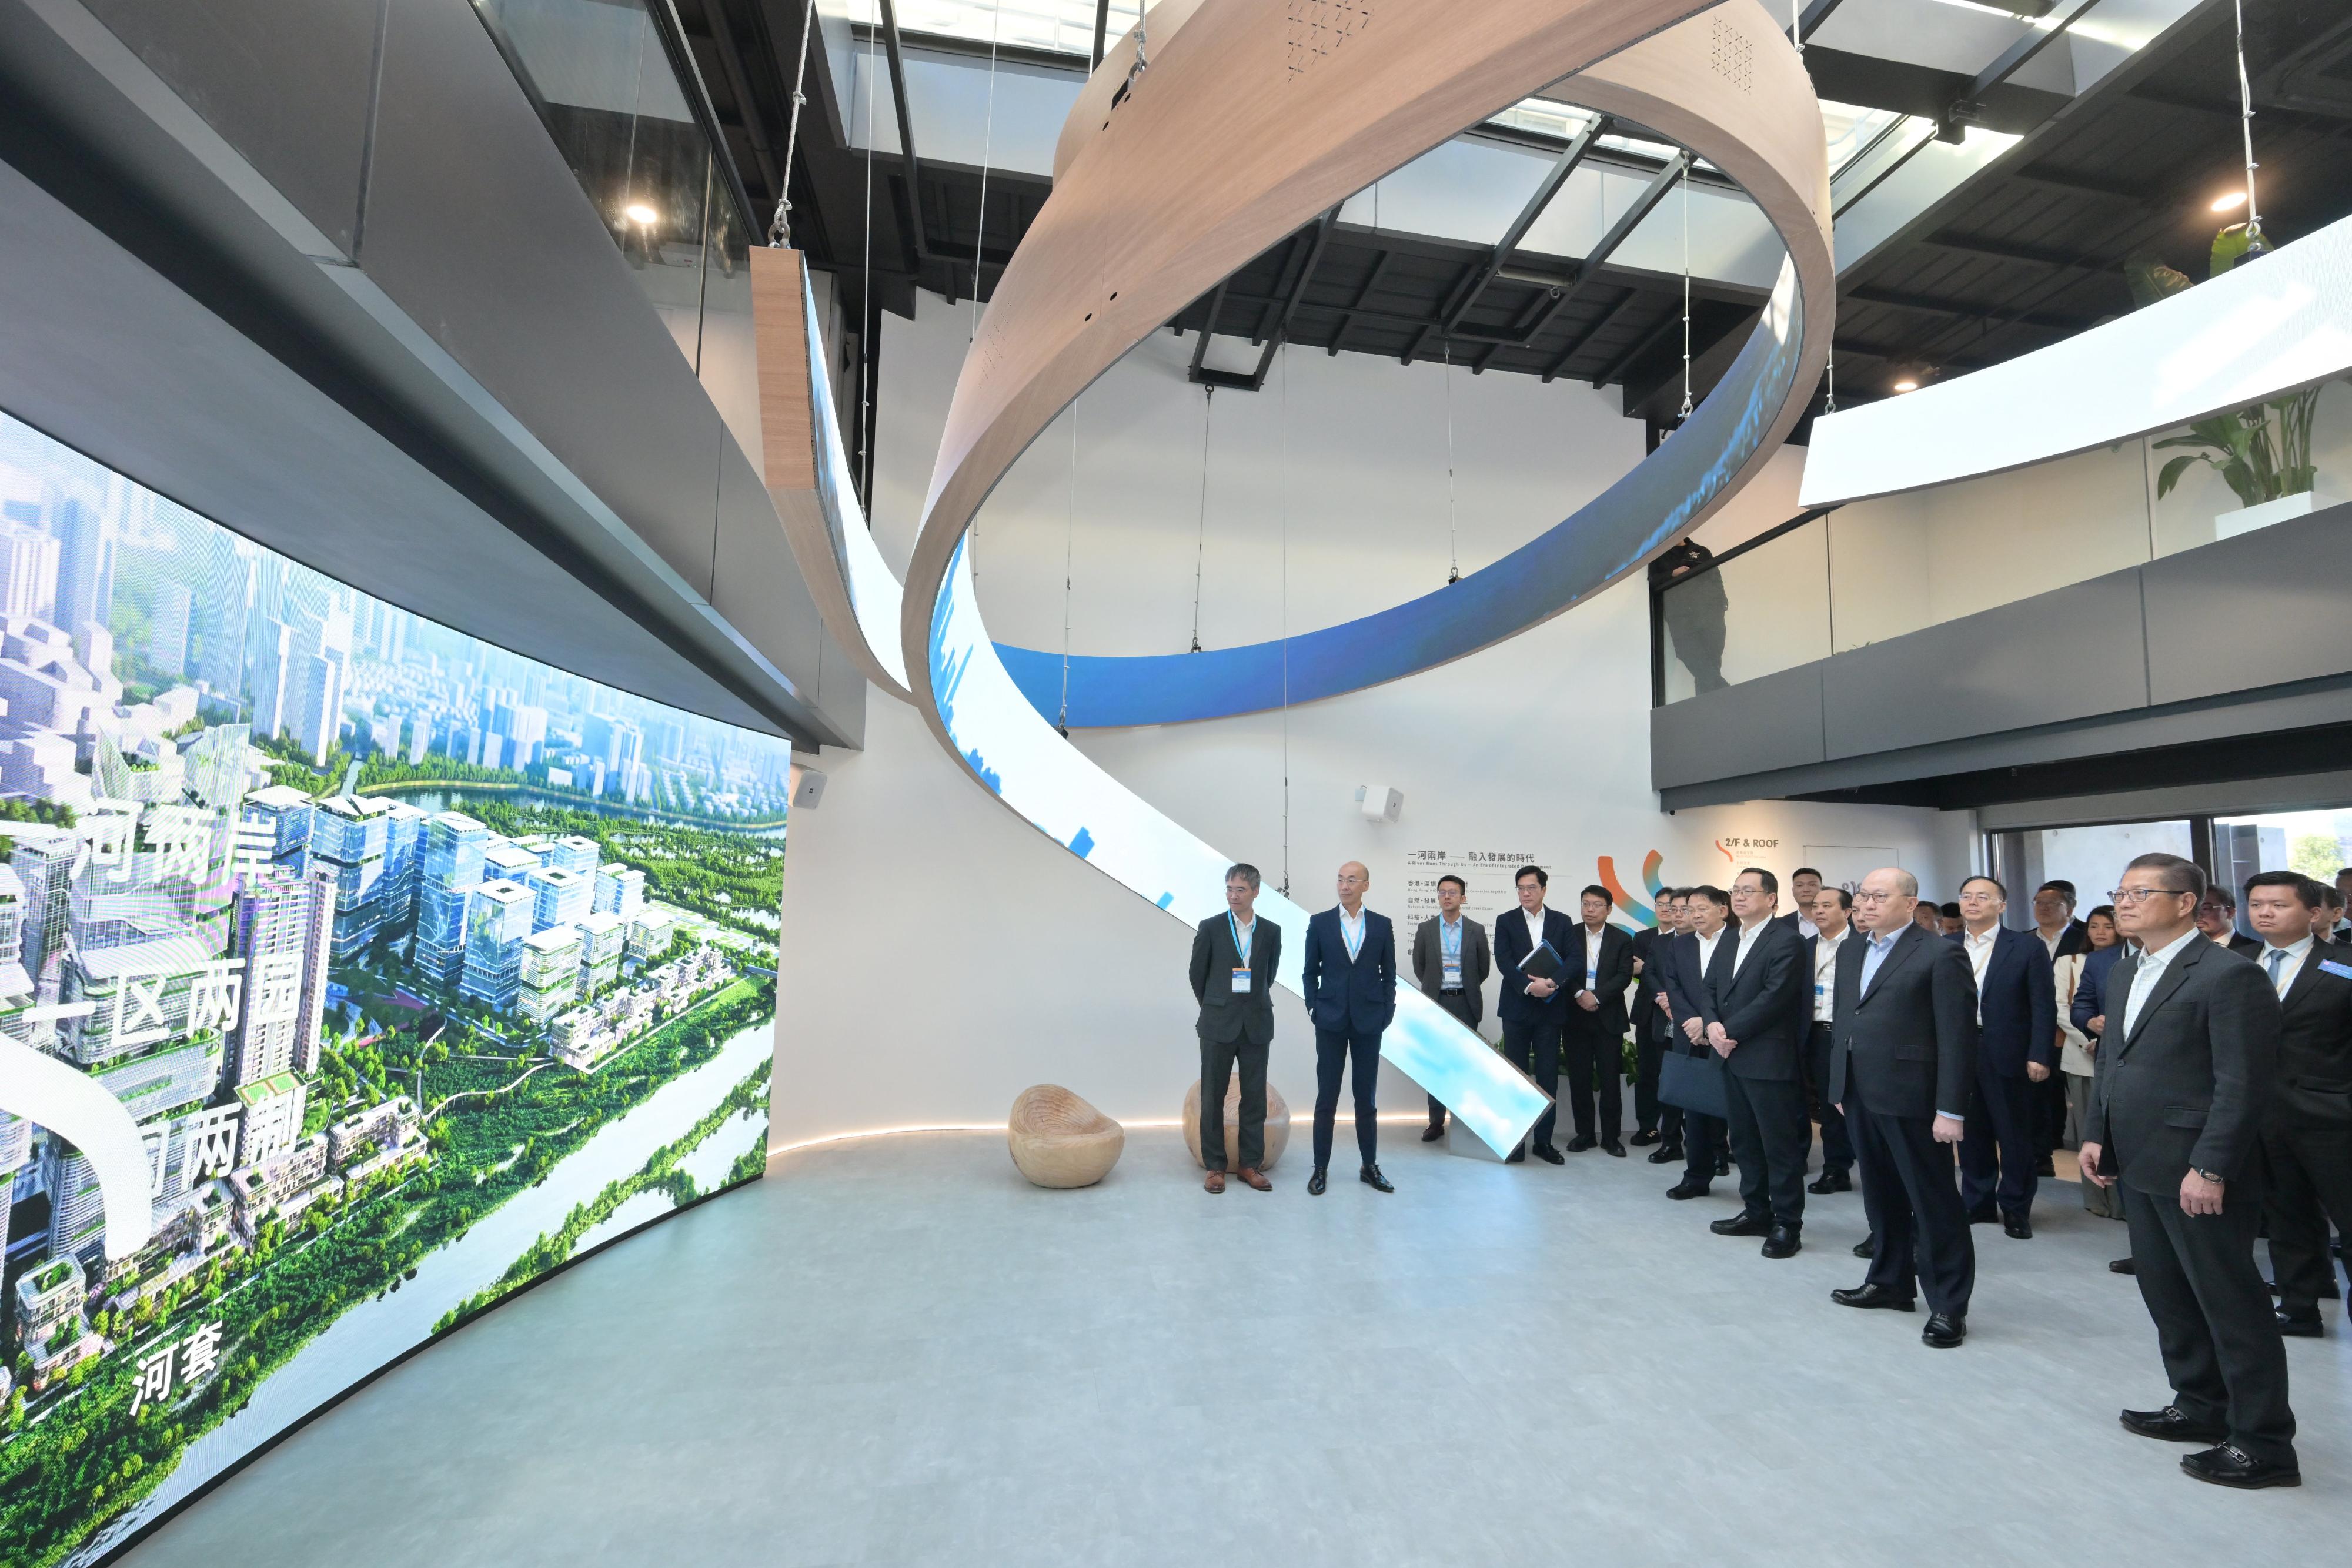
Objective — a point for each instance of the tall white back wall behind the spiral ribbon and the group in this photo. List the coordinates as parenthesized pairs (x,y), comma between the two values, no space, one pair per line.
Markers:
(940,956)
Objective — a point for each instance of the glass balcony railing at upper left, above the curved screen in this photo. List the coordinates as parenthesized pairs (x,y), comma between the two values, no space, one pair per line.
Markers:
(632,121)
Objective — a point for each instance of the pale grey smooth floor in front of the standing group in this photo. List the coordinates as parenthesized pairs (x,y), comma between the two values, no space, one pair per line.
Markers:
(900,1353)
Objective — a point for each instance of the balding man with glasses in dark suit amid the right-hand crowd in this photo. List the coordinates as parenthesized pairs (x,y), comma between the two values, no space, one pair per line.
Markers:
(1902,1059)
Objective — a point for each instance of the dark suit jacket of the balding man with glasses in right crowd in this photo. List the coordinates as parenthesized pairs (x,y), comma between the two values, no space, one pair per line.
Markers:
(1911,1040)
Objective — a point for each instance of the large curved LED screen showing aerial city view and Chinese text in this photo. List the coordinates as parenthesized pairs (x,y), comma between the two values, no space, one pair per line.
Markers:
(382,972)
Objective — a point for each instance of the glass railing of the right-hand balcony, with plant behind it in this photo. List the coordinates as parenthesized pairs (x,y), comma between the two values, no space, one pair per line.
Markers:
(1878,570)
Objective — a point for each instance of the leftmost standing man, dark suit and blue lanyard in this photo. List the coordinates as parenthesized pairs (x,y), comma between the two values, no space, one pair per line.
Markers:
(1234,979)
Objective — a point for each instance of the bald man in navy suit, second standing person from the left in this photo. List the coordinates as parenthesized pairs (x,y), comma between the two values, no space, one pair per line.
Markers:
(1349,979)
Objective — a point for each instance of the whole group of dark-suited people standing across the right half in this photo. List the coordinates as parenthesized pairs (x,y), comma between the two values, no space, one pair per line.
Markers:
(1909,1047)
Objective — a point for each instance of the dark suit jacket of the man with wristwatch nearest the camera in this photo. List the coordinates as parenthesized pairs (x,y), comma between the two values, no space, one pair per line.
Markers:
(2193,1080)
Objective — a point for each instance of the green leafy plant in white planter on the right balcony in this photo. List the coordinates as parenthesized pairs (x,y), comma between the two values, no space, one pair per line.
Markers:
(2264,453)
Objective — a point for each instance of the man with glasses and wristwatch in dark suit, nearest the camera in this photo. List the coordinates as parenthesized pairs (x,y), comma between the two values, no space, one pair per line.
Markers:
(2184,1080)
